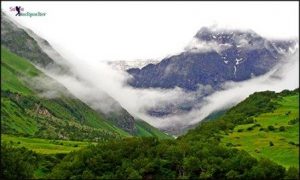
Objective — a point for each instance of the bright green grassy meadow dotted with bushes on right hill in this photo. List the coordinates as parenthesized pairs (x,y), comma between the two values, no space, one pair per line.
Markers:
(256,142)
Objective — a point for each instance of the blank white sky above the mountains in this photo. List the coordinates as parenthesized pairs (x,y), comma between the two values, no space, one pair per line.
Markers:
(147,30)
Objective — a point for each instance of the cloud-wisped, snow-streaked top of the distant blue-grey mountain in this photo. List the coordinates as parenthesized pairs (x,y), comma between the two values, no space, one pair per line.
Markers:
(223,40)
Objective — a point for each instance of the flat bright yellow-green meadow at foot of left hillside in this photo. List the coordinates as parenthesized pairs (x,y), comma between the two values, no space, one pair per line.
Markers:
(44,146)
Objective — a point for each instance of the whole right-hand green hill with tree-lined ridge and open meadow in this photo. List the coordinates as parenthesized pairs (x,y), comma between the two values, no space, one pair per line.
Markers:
(266,125)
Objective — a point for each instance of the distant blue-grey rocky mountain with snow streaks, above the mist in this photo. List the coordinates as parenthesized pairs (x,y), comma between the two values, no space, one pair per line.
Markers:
(213,57)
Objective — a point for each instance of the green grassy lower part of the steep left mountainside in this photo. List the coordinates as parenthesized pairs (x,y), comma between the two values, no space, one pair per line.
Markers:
(26,112)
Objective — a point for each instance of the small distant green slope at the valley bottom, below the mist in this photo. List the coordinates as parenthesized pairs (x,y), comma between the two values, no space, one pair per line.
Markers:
(146,130)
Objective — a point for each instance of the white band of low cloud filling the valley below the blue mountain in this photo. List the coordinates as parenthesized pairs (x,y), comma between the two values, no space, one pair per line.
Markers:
(104,88)
